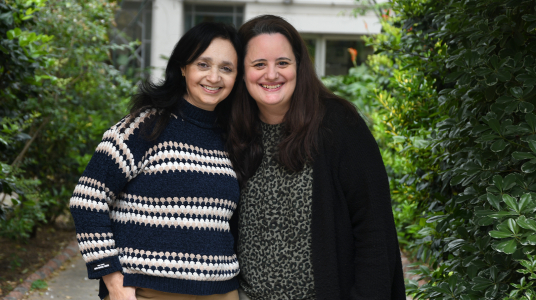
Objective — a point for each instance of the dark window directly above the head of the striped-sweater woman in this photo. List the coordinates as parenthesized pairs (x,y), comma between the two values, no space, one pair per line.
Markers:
(229,14)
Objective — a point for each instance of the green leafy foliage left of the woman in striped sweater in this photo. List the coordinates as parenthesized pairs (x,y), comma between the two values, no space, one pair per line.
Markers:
(59,93)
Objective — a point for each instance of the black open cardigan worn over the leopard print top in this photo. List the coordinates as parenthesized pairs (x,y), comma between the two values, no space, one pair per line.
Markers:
(354,243)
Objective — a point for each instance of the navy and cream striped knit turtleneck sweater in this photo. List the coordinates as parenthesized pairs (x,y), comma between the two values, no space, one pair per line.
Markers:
(158,211)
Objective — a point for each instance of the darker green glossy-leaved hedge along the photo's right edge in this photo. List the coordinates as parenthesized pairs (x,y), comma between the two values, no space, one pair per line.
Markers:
(488,226)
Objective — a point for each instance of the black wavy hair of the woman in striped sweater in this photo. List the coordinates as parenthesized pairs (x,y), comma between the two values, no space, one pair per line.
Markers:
(165,95)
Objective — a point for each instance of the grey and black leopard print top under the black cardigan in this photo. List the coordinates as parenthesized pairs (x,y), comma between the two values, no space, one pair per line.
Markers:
(274,244)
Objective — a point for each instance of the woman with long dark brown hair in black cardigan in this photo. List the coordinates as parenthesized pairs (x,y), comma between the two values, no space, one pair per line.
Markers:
(315,219)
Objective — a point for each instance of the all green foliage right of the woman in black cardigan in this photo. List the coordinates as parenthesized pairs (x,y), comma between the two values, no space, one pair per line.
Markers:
(452,108)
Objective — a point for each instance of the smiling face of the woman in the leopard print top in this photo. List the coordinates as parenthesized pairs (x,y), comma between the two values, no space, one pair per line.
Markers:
(270,72)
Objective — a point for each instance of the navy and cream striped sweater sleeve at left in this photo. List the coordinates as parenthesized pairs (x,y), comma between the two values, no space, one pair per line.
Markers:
(103,179)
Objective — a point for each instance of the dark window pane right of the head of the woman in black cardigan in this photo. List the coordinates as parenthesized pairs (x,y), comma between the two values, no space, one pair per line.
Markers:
(338,59)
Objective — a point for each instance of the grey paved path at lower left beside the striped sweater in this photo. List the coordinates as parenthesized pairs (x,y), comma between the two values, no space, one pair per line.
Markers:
(70,283)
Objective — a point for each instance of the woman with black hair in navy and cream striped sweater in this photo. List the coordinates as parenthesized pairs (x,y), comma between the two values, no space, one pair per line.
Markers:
(152,208)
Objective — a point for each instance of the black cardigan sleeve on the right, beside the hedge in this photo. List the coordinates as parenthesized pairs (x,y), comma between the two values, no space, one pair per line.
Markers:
(363,180)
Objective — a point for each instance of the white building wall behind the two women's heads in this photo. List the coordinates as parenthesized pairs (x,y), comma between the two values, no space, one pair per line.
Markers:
(324,19)
